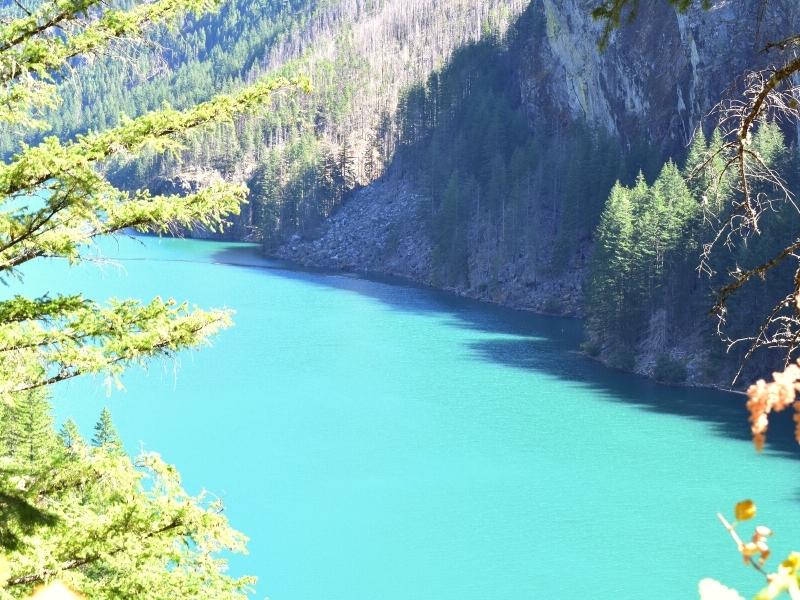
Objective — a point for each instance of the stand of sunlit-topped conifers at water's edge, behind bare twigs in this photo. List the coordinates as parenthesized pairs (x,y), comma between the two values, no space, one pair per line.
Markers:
(648,289)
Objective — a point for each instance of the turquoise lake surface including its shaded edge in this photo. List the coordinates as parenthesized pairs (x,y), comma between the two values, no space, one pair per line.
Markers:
(382,441)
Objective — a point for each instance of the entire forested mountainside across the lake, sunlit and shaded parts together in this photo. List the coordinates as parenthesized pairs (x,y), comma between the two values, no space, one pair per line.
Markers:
(473,146)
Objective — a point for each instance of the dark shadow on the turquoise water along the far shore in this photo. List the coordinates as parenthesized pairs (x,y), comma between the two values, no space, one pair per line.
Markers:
(538,343)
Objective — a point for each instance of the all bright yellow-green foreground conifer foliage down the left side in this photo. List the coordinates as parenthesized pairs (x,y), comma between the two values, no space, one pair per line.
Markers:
(86,514)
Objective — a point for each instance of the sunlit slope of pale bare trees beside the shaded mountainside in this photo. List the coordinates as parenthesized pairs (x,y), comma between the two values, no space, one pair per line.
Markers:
(308,153)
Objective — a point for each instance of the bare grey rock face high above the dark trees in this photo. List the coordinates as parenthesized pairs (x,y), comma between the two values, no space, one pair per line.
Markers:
(658,78)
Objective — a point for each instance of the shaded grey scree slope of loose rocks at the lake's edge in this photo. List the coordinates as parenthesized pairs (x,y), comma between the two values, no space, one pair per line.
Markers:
(379,230)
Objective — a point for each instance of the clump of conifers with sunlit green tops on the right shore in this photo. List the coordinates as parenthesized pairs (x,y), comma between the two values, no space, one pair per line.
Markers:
(643,280)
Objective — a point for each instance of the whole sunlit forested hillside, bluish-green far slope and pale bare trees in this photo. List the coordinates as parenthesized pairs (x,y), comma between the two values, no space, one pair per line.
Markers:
(303,156)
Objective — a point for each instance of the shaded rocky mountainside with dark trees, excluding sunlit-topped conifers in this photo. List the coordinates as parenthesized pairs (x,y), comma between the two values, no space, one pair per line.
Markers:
(590,118)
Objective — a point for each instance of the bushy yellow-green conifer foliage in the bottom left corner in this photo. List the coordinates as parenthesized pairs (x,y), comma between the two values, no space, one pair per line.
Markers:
(112,527)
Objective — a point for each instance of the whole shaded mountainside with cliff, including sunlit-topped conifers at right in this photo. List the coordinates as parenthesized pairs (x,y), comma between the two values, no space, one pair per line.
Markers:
(499,194)
